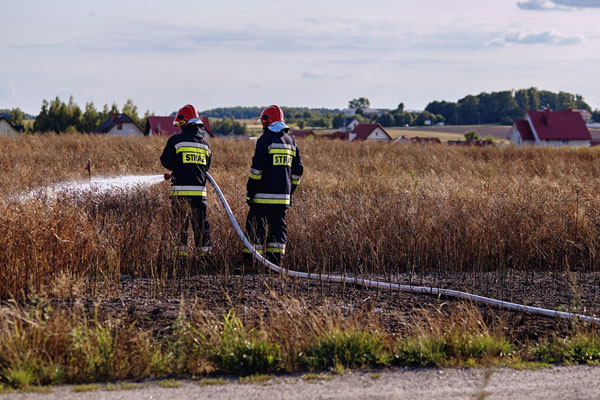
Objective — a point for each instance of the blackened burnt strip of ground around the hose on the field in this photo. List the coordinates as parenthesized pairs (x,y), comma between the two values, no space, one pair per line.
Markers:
(156,307)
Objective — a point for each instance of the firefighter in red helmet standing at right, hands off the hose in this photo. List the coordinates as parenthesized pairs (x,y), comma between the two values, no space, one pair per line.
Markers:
(274,176)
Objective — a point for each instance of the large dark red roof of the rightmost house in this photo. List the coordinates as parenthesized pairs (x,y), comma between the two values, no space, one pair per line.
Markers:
(559,125)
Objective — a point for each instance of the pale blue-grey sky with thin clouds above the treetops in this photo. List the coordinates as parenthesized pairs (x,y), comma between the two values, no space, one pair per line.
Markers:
(315,53)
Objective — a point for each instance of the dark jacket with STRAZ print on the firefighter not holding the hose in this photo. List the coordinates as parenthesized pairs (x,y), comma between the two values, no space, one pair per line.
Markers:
(276,170)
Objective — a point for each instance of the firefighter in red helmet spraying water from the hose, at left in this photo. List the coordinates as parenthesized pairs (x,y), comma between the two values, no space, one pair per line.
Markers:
(188,155)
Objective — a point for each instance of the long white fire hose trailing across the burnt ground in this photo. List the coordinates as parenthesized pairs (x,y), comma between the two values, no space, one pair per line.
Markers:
(392,286)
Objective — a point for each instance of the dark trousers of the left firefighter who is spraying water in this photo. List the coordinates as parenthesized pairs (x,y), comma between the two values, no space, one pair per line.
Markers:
(191,209)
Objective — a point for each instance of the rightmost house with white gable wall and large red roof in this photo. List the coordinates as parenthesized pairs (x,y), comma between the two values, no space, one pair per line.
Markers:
(550,128)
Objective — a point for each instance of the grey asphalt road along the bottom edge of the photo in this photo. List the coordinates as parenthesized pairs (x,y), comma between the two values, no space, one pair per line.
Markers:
(579,382)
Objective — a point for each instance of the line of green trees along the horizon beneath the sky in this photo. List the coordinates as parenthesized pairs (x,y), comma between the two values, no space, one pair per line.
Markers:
(501,107)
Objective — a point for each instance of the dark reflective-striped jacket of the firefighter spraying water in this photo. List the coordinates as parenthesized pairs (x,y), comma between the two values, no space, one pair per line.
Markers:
(188,155)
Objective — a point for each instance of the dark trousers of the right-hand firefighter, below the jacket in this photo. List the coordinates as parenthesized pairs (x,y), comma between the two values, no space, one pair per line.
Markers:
(267,231)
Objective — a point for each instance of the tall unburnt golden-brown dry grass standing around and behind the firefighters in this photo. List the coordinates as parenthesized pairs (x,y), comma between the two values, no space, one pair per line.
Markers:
(361,208)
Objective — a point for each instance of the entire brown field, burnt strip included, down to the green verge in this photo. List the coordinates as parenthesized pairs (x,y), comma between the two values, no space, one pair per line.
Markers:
(516,224)
